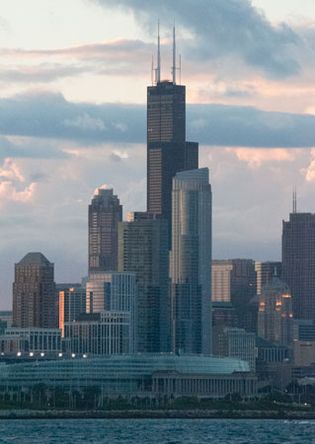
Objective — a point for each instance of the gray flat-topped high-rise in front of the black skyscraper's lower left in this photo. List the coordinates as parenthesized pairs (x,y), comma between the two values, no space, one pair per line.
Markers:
(143,249)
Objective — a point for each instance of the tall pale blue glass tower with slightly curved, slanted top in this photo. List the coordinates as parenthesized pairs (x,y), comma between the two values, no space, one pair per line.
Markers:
(190,261)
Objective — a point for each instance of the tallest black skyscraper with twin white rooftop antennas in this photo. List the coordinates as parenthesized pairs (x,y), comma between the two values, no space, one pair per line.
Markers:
(167,150)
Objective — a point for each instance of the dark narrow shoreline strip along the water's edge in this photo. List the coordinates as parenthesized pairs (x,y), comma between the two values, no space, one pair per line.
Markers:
(157,414)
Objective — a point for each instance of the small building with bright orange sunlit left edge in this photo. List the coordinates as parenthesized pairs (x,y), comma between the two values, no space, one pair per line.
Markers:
(72,302)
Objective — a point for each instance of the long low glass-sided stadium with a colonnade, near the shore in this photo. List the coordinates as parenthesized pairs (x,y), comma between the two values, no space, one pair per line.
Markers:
(157,376)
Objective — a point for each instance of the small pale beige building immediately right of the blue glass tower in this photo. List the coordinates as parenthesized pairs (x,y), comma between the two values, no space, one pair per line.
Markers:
(221,281)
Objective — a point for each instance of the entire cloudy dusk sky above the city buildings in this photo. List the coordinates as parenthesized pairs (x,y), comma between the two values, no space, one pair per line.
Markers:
(73,78)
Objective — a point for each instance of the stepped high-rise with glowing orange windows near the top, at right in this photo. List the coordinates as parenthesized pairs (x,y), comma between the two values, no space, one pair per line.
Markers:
(275,317)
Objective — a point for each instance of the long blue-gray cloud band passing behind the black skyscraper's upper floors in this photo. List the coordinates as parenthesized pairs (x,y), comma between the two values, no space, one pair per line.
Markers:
(51,116)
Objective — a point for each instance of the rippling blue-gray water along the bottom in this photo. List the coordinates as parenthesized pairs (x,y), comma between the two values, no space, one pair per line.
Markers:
(166,431)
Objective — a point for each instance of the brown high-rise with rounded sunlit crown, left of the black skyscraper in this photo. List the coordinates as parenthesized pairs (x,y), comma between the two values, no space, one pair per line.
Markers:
(105,212)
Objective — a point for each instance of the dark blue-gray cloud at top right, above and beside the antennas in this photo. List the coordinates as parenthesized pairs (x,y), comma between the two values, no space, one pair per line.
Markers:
(223,28)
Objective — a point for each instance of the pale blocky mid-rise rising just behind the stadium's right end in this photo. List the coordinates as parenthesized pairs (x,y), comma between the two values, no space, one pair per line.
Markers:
(237,343)
